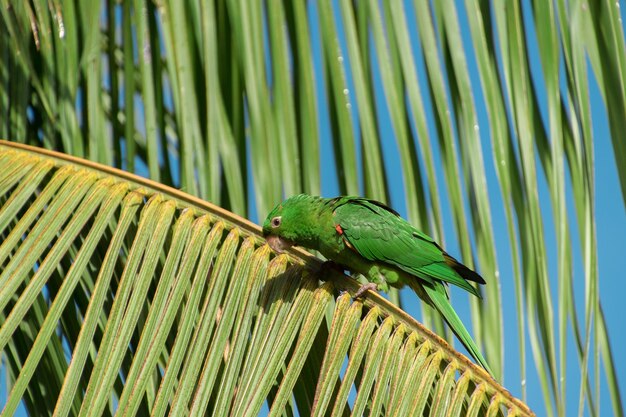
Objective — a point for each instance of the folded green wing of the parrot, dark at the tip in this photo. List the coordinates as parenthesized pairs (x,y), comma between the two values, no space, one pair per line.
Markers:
(378,234)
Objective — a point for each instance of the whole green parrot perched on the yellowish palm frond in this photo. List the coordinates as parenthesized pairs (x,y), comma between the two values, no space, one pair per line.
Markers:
(369,238)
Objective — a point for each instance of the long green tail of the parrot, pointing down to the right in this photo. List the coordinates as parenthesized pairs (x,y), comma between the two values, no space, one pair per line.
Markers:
(439,299)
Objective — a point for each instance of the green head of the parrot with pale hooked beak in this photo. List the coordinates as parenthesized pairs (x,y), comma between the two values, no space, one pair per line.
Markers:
(292,222)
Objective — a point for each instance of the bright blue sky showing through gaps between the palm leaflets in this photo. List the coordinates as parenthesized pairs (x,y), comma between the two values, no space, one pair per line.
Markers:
(610,217)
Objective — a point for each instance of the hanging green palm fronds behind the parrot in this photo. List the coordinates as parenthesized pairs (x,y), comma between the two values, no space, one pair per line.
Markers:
(131,82)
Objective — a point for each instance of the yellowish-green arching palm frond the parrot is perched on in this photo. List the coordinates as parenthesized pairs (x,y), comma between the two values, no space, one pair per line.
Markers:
(130,298)
